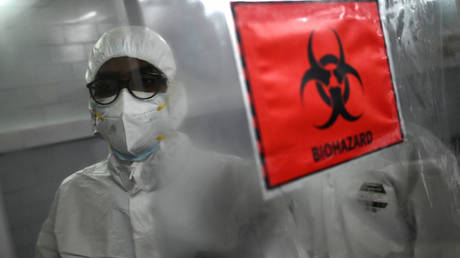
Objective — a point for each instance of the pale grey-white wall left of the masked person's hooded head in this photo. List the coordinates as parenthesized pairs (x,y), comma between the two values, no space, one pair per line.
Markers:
(44,46)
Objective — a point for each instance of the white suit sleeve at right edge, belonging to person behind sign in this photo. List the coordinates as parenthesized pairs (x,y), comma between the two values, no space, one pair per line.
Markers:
(433,205)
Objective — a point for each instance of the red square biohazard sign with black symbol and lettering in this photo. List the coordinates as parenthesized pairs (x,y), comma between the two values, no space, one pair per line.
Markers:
(319,83)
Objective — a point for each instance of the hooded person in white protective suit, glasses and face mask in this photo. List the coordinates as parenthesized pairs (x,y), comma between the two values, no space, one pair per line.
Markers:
(155,195)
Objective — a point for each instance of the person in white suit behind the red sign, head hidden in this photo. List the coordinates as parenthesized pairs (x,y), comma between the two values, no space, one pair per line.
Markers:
(400,202)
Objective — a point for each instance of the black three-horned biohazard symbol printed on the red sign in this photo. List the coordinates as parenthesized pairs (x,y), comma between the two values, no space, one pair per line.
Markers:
(322,76)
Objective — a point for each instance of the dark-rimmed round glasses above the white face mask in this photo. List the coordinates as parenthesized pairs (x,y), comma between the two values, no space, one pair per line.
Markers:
(144,86)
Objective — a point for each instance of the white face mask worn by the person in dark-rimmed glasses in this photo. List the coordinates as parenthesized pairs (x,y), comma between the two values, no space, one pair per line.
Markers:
(133,127)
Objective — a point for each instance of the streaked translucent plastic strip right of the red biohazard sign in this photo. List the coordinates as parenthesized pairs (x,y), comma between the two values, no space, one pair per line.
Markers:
(415,35)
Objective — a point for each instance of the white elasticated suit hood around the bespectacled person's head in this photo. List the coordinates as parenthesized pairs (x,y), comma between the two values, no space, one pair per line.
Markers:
(145,44)
